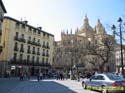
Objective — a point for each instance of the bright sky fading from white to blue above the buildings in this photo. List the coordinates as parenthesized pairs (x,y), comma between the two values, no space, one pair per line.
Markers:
(56,15)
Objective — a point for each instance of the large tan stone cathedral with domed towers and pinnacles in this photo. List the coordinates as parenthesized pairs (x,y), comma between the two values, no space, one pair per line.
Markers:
(77,48)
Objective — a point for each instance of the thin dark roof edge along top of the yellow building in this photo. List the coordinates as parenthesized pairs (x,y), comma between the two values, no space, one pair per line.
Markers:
(21,22)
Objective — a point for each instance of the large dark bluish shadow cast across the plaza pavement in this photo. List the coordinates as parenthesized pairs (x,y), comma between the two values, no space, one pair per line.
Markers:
(32,86)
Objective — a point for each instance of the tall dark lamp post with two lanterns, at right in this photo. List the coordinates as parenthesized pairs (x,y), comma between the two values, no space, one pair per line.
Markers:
(121,47)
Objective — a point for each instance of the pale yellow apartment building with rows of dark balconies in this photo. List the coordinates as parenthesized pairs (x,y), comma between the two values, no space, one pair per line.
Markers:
(26,48)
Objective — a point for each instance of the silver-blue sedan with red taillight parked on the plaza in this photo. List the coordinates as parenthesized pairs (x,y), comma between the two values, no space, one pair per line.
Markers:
(105,83)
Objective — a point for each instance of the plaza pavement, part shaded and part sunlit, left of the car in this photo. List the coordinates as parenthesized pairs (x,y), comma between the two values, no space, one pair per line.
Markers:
(14,85)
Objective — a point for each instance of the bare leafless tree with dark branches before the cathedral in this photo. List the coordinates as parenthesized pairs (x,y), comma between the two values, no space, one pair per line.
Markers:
(103,51)
